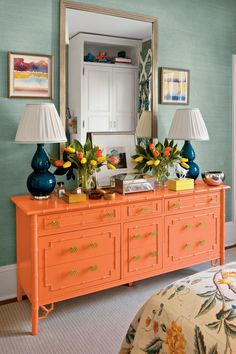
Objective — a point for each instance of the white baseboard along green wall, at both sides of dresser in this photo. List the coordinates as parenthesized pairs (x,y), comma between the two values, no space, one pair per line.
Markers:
(8,273)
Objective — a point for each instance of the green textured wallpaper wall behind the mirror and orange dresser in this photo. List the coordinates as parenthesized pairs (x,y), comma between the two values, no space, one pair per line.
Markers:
(199,35)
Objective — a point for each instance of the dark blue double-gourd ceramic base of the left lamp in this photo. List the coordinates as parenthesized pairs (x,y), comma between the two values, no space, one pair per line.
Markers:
(41,182)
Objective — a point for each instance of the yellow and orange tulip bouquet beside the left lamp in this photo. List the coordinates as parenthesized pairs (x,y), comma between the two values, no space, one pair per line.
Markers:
(86,159)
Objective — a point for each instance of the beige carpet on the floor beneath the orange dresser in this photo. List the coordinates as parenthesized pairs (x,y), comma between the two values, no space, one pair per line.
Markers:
(91,324)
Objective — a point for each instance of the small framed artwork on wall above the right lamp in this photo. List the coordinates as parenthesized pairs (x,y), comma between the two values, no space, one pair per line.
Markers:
(175,86)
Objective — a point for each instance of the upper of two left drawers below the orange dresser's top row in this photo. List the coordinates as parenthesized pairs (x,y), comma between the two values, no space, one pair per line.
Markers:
(78,245)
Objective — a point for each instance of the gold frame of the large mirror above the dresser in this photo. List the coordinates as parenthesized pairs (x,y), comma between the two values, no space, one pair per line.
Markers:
(84,7)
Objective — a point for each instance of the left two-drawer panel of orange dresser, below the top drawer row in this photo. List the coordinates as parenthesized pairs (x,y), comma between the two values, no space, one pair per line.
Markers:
(79,259)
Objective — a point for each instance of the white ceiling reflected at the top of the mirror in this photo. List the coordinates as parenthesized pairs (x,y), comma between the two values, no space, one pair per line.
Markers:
(89,22)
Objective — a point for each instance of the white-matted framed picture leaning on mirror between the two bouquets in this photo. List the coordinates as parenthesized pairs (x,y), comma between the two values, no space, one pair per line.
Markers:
(120,144)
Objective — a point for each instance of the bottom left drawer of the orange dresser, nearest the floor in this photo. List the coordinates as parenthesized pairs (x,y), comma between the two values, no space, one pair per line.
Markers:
(80,274)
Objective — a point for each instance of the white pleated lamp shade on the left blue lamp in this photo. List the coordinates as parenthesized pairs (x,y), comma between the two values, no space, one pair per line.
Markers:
(40,124)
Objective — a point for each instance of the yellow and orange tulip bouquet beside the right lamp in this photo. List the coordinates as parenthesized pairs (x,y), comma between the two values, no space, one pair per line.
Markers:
(156,159)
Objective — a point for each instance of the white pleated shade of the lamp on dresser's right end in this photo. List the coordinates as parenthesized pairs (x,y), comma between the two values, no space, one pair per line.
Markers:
(188,124)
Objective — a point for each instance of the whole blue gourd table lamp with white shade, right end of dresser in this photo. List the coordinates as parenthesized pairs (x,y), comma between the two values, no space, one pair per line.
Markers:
(187,125)
